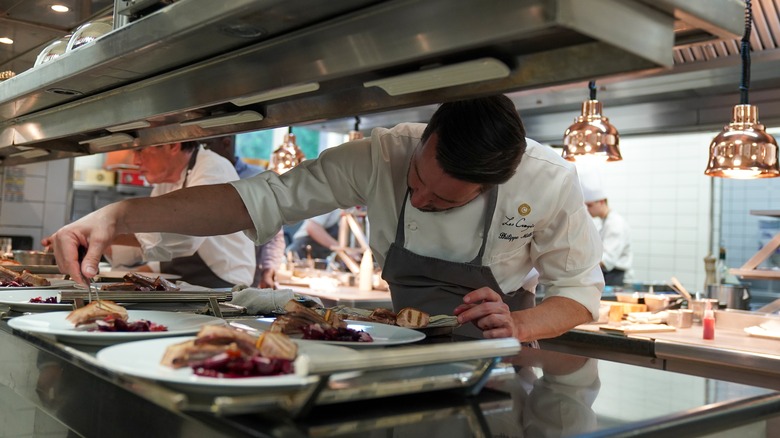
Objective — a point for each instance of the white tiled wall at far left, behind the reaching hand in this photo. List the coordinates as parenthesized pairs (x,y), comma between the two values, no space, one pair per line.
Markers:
(34,199)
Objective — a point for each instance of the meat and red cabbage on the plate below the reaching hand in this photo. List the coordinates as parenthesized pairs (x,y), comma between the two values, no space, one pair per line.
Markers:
(108,316)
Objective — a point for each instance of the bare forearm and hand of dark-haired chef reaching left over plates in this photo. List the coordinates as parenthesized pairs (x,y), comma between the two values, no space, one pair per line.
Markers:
(199,211)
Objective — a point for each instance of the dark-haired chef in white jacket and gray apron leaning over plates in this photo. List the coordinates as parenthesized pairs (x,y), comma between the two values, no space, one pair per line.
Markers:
(461,210)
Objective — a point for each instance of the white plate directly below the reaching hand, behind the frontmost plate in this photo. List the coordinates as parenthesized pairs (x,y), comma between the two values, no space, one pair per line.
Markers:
(54,323)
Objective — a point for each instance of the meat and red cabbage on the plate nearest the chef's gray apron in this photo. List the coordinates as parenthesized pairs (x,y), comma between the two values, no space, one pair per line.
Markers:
(314,326)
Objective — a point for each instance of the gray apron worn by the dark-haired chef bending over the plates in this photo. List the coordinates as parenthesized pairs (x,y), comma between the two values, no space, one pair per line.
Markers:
(437,286)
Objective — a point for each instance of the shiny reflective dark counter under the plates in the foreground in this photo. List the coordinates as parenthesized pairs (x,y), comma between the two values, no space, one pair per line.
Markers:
(536,393)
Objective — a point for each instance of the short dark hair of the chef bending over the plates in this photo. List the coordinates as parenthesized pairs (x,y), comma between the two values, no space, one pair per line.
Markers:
(480,140)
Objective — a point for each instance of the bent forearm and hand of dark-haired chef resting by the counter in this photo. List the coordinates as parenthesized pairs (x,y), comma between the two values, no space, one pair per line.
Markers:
(552,317)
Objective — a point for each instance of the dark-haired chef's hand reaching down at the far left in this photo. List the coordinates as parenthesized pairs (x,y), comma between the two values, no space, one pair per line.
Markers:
(94,231)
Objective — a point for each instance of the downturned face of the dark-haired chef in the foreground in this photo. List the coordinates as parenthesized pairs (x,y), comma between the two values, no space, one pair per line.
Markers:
(432,189)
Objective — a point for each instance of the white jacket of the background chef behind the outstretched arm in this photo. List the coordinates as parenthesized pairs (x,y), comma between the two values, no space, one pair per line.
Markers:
(232,256)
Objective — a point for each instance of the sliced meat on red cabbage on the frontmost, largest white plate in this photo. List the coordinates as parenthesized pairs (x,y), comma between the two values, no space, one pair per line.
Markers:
(222,351)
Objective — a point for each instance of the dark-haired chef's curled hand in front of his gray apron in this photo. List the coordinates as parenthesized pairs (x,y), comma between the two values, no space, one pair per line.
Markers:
(485,309)
